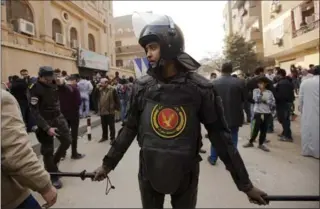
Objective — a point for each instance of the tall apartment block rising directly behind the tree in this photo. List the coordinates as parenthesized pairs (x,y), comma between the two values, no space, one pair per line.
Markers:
(244,17)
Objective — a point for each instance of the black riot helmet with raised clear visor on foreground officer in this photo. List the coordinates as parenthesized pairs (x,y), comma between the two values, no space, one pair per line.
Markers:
(150,27)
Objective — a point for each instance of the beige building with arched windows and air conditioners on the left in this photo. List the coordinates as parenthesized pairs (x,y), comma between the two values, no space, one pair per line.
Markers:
(50,33)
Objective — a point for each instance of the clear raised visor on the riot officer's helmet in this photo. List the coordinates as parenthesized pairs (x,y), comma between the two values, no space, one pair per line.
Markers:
(141,20)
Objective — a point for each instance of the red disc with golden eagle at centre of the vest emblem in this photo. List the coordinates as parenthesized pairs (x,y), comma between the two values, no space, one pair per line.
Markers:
(168,119)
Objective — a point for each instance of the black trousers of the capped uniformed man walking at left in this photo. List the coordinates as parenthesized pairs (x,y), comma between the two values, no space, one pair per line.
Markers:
(50,158)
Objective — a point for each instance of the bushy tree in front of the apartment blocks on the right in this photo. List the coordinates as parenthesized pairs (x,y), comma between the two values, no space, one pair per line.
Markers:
(240,53)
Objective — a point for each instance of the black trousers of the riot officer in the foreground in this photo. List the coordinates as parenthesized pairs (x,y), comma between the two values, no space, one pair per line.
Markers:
(184,198)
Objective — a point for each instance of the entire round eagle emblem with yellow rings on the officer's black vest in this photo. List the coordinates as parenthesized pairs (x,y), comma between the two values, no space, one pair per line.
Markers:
(168,122)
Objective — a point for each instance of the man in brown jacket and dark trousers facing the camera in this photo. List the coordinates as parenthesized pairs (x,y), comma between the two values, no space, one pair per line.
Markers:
(108,103)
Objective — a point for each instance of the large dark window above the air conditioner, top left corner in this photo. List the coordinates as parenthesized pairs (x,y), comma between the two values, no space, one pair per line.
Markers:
(16,10)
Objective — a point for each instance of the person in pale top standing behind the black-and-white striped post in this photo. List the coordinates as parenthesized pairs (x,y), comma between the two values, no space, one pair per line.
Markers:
(85,87)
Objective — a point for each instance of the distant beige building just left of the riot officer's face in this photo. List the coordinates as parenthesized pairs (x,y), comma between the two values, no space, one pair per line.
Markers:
(126,44)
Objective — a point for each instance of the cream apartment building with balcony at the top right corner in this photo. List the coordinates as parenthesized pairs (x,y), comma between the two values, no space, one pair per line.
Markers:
(291,32)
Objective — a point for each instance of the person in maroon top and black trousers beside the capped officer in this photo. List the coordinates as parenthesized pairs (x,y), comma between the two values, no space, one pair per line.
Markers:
(70,102)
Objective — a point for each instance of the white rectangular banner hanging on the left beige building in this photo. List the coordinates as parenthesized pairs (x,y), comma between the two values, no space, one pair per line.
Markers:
(89,59)
